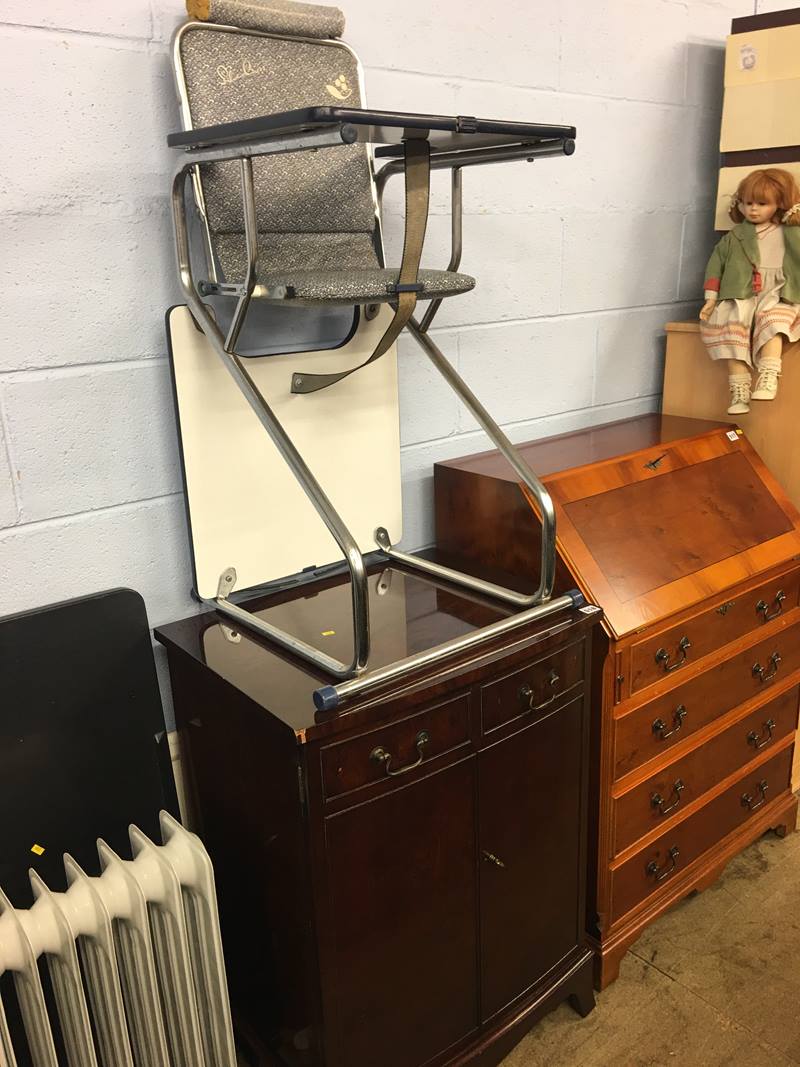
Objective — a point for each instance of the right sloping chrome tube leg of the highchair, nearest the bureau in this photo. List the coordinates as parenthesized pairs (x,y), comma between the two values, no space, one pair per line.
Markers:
(535,488)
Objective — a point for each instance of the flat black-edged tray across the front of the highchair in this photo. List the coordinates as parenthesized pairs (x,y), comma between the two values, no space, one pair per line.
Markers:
(447,134)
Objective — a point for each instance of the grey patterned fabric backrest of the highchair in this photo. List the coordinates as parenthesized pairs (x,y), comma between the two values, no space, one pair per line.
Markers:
(315,211)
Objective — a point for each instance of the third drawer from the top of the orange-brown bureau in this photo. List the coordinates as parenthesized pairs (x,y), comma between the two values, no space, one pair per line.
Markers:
(659,801)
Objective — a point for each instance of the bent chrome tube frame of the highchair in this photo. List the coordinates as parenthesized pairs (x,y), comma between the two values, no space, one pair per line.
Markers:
(534,607)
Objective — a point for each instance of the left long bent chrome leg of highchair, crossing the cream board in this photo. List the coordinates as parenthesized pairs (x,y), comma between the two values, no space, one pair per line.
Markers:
(279,437)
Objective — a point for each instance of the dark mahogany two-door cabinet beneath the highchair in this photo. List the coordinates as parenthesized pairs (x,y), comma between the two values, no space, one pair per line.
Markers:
(402,883)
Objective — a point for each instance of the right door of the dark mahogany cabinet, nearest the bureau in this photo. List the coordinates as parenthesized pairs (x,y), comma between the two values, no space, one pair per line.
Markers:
(531,853)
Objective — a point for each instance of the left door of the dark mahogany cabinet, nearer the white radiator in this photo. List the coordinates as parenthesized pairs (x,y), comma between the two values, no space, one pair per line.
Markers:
(403,906)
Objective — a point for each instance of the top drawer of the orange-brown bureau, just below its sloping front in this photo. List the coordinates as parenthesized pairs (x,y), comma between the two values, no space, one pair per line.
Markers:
(659,656)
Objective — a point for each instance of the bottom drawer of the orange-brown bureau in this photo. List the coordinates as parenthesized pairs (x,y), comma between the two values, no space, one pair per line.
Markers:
(653,868)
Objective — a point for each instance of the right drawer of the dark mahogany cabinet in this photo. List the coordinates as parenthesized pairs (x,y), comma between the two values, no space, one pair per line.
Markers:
(539,687)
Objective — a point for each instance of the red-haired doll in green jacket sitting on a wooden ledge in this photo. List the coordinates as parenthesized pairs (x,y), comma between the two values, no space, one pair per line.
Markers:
(753,286)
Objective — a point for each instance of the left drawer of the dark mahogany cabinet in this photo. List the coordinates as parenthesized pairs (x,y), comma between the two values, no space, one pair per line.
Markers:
(397,750)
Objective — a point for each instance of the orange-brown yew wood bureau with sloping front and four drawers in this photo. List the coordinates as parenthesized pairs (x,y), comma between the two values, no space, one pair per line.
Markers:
(679,532)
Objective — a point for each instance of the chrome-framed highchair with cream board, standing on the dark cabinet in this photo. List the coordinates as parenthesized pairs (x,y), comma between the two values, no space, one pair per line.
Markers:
(278,222)
